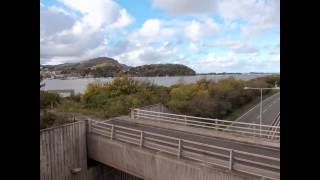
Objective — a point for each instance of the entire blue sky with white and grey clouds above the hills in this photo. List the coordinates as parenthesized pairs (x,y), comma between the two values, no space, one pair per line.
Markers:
(206,35)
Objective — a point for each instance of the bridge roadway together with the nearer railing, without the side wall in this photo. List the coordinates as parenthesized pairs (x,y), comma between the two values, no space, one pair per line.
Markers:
(249,158)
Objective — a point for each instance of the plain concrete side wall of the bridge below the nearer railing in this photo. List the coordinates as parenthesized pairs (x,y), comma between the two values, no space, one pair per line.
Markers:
(152,165)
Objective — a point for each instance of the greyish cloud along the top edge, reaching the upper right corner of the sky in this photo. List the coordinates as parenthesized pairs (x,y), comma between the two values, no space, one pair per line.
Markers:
(259,15)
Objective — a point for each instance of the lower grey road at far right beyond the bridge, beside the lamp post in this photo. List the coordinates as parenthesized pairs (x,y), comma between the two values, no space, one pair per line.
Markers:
(270,109)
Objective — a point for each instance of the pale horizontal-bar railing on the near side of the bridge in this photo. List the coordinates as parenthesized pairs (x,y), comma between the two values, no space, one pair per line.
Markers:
(255,164)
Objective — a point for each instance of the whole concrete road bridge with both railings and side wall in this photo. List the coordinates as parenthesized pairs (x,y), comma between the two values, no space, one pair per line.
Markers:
(155,144)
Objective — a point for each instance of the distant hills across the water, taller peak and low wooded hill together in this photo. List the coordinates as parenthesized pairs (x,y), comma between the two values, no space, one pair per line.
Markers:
(108,67)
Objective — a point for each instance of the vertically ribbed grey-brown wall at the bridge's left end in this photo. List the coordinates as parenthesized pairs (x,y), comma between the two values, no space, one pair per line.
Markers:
(63,154)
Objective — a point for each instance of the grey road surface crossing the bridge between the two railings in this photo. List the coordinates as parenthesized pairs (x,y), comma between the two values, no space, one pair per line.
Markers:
(220,142)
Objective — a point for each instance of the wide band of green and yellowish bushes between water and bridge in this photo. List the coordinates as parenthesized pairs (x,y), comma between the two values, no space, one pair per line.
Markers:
(204,98)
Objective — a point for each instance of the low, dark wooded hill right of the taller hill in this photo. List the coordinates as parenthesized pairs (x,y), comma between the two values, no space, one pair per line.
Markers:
(161,70)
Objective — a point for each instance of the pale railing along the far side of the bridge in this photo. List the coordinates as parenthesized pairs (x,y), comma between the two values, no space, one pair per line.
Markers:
(215,124)
